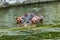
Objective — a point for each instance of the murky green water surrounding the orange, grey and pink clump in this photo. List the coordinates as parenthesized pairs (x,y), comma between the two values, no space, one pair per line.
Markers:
(49,29)
